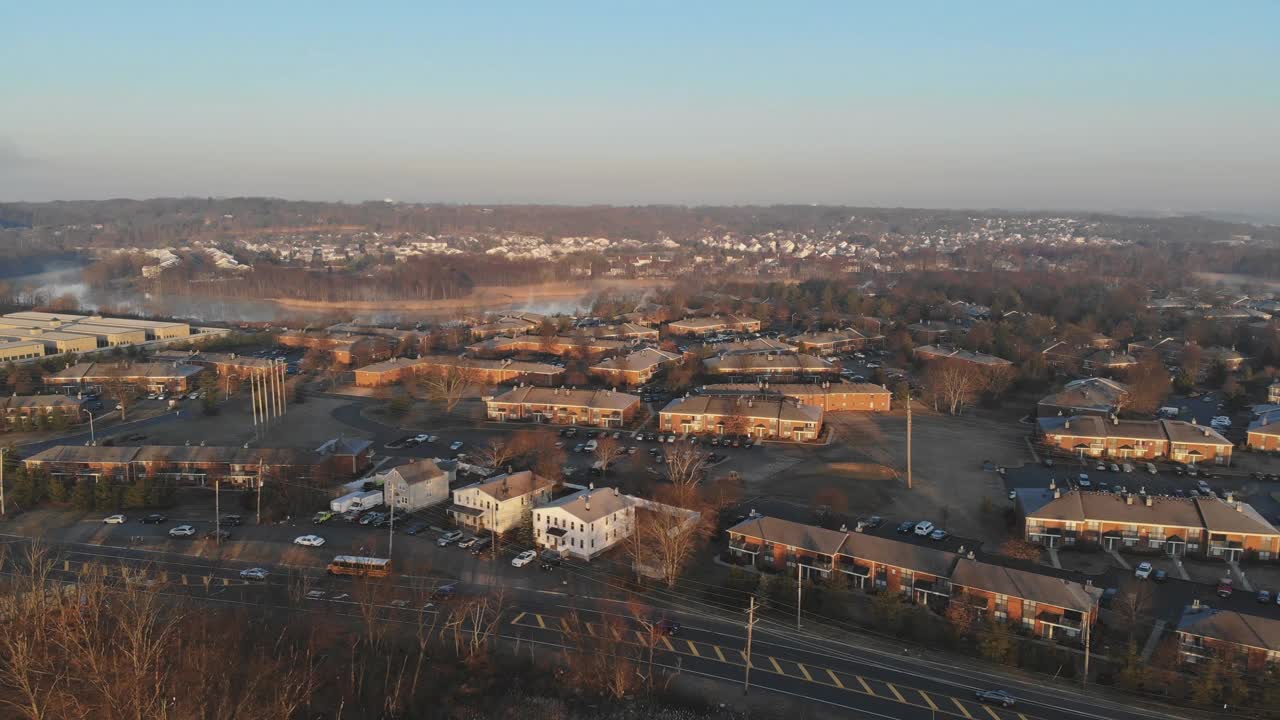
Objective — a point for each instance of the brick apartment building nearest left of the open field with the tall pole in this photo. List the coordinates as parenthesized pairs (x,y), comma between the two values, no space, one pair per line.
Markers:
(771,418)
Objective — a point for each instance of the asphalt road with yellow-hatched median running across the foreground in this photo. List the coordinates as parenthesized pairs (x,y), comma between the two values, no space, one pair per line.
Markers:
(806,666)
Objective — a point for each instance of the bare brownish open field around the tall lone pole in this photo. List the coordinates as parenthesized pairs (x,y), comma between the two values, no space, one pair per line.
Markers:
(867,464)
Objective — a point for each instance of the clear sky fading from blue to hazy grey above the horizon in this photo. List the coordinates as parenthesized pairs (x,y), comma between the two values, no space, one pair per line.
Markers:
(1136,106)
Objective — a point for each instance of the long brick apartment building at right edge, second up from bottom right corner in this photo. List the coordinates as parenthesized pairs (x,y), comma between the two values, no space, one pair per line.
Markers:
(1172,526)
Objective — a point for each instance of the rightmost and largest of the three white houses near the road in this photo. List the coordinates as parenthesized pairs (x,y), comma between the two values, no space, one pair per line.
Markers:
(587,523)
